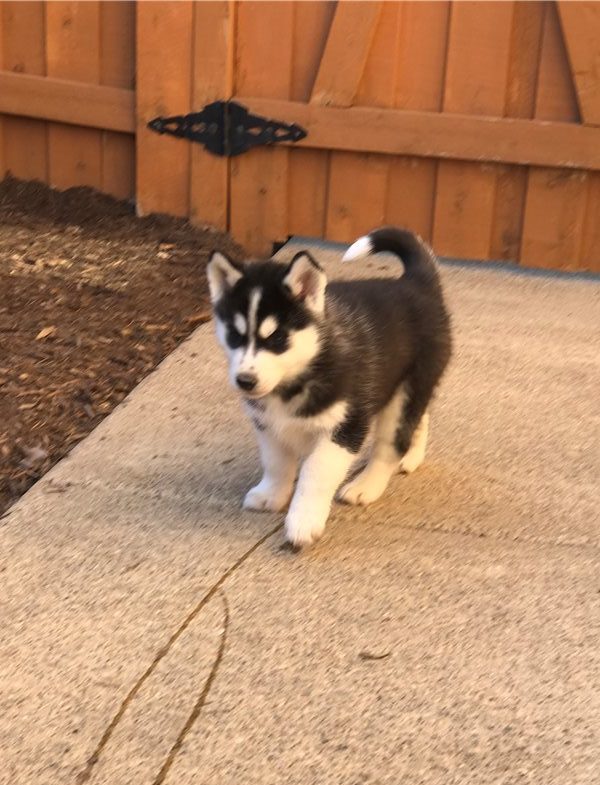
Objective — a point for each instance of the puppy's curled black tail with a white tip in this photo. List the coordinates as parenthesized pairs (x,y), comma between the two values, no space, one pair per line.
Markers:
(417,257)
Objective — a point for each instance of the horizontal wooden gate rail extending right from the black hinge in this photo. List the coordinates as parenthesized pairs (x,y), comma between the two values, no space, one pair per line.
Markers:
(447,136)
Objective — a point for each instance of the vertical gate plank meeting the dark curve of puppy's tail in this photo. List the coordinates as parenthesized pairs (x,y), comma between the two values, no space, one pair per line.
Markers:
(419,76)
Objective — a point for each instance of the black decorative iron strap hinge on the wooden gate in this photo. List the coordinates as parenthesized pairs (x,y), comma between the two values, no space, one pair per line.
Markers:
(227,128)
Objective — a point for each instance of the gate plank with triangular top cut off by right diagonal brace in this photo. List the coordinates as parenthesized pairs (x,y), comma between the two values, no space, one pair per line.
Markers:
(555,205)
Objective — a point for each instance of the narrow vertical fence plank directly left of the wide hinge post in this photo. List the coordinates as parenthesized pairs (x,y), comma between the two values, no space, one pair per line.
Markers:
(117,69)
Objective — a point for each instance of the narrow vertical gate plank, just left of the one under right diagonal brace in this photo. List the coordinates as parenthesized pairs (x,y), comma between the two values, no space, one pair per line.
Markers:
(511,188)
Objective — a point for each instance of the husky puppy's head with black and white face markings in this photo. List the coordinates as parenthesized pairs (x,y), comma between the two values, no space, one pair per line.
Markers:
(267,318)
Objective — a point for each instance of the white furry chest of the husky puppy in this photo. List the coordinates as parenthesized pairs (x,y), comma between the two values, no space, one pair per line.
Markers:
(299,433)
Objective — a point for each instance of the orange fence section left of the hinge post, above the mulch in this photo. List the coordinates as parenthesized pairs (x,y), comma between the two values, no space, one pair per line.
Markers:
(73,63)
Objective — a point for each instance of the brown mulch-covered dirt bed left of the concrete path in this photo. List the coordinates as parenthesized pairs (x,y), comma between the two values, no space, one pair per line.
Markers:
(91,300)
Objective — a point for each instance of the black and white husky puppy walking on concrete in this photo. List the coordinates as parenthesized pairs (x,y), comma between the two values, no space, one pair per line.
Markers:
(319,364)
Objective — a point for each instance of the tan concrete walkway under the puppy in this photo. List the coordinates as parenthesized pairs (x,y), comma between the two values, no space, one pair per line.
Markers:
(150,630)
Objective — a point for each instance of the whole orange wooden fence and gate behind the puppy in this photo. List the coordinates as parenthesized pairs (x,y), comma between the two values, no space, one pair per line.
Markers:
(476,124)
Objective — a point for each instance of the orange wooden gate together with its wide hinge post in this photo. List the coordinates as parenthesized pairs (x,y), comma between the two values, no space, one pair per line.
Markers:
(465,121)
